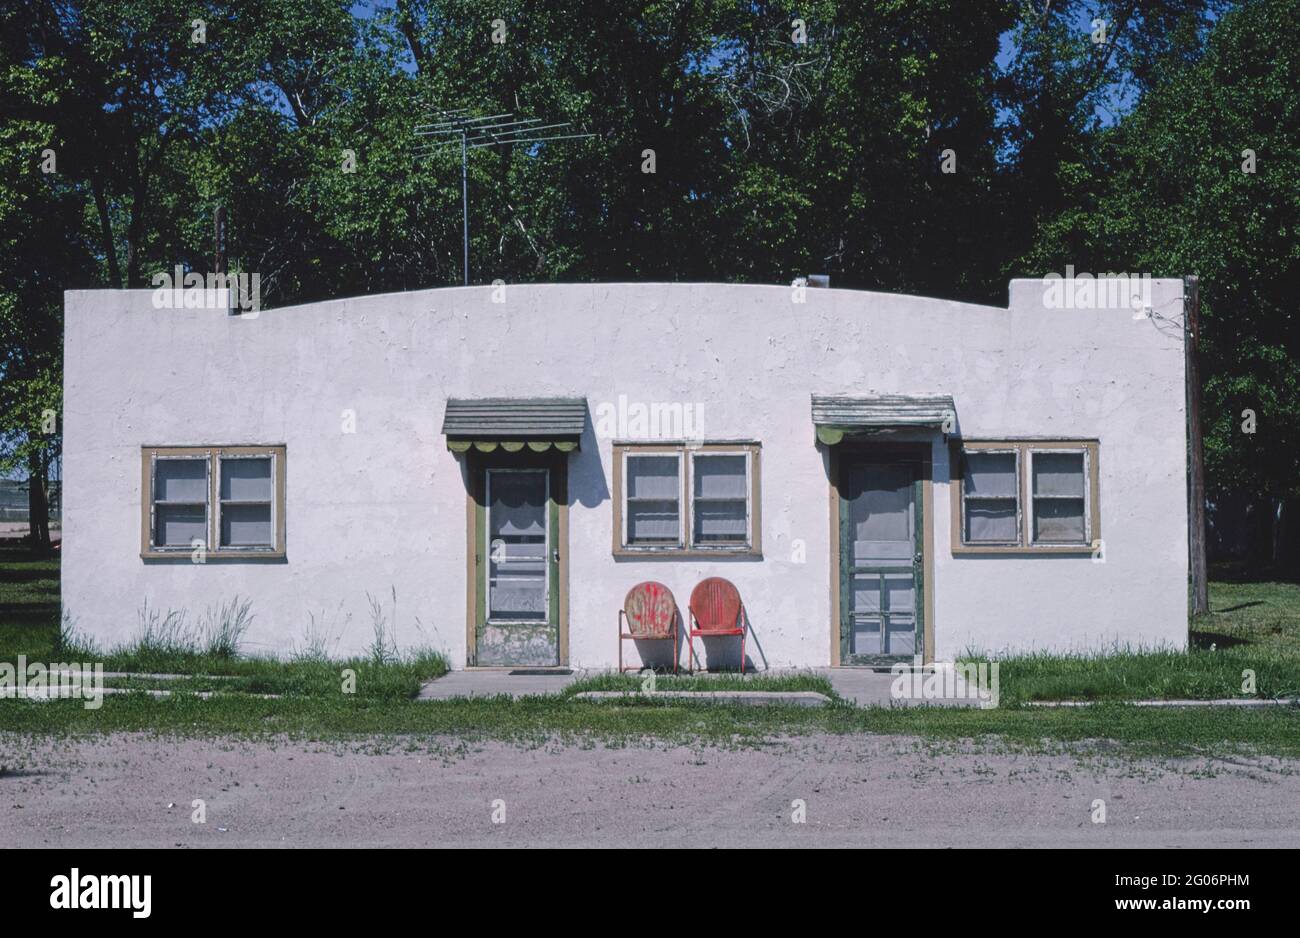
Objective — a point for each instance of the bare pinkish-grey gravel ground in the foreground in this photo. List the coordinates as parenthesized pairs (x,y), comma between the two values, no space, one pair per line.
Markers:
(137,792)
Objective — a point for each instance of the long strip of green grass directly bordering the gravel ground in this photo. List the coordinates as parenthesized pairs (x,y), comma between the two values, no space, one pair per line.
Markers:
(1119,728)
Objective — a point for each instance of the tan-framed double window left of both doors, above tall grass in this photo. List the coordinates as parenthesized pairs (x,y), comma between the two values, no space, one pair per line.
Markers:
(228,502)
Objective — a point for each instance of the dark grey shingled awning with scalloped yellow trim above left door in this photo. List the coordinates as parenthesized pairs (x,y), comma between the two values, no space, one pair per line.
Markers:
(514,424)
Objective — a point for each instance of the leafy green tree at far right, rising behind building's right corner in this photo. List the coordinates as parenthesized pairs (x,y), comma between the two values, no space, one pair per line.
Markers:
(1201,180)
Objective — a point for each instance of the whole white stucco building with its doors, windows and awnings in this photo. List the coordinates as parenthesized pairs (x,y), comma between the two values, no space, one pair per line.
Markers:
(879,476)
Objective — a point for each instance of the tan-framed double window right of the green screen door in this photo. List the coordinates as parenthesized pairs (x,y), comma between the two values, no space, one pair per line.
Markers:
(1030,497)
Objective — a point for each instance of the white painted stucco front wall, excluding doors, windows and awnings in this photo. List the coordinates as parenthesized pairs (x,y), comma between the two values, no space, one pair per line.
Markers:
(384,509)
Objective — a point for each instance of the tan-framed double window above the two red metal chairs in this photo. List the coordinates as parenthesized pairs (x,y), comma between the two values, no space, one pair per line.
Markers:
(688,500)
